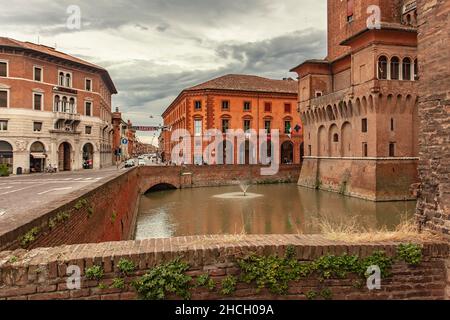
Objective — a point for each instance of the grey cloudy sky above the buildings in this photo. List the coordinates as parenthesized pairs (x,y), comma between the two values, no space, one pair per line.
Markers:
(155,48)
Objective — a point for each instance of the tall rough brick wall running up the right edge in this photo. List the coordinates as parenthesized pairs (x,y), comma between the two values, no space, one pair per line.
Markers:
(434,110)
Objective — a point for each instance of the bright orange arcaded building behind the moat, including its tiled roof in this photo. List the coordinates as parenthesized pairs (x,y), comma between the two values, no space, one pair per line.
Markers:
(237,102)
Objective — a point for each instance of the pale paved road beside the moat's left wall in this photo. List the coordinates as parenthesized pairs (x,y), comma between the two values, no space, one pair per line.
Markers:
(22,194)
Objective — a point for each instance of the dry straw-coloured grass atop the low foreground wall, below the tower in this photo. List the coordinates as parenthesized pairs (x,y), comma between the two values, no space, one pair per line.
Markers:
(350,232)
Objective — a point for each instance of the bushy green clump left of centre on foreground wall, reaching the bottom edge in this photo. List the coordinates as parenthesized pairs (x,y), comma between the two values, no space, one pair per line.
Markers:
(164,279)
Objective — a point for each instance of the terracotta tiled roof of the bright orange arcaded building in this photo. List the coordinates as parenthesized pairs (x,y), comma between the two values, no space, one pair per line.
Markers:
(248,83)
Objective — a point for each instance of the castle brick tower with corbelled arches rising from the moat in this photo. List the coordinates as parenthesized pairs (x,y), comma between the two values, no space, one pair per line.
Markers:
(359,104)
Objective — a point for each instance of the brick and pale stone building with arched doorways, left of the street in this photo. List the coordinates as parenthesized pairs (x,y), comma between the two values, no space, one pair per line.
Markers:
(54,109)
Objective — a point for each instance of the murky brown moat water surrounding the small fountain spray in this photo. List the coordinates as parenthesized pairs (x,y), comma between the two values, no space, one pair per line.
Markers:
(283,209)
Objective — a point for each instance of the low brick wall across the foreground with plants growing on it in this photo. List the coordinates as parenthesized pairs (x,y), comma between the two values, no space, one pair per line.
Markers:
(42,273)
